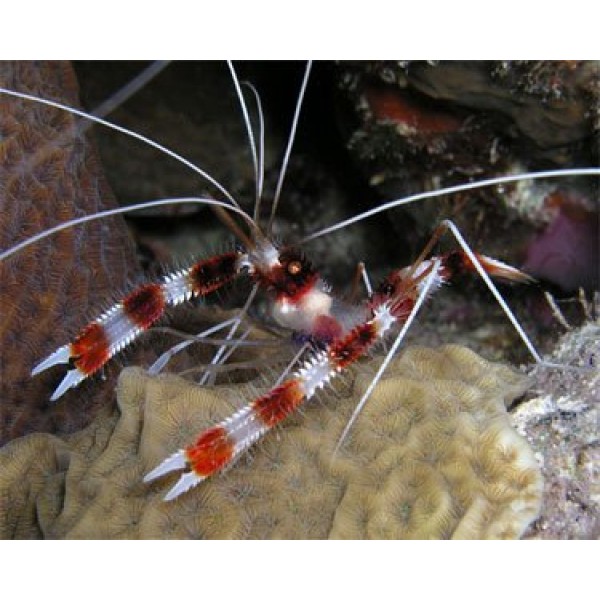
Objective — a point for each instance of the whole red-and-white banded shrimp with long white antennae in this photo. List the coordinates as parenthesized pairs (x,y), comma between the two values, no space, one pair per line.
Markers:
(300,300)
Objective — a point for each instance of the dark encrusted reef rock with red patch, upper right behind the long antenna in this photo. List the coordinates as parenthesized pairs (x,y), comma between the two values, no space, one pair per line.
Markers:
(422,125)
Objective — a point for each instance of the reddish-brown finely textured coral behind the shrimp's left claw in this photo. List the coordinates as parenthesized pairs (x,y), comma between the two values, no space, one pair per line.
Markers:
(49,173)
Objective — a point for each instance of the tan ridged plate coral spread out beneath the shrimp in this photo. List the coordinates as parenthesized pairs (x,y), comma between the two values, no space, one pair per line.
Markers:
(432,456)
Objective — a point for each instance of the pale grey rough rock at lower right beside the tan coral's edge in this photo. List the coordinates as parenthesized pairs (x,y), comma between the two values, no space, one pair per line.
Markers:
(561,424)
